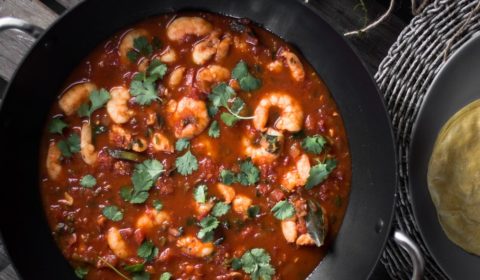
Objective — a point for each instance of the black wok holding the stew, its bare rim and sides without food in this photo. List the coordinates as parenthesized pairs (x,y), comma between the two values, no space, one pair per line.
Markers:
(40,76)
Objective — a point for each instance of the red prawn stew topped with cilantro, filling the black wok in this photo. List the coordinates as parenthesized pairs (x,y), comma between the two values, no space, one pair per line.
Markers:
(194,146)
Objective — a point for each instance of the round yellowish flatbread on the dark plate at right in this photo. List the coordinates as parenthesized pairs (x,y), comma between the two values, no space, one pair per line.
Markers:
(454,178)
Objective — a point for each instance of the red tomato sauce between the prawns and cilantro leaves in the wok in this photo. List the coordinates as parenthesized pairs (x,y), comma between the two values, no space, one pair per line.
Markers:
(76,213)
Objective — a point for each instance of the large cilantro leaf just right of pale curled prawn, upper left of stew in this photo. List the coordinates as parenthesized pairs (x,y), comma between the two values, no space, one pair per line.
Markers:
(143,89)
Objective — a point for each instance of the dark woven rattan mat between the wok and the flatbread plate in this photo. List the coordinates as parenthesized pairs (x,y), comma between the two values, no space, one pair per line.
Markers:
(404,77)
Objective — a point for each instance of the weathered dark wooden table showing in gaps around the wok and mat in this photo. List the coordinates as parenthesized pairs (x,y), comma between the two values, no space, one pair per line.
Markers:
(343,15)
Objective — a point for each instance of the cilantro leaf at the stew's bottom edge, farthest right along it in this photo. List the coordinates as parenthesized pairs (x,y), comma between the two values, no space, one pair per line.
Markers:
(256,262)
